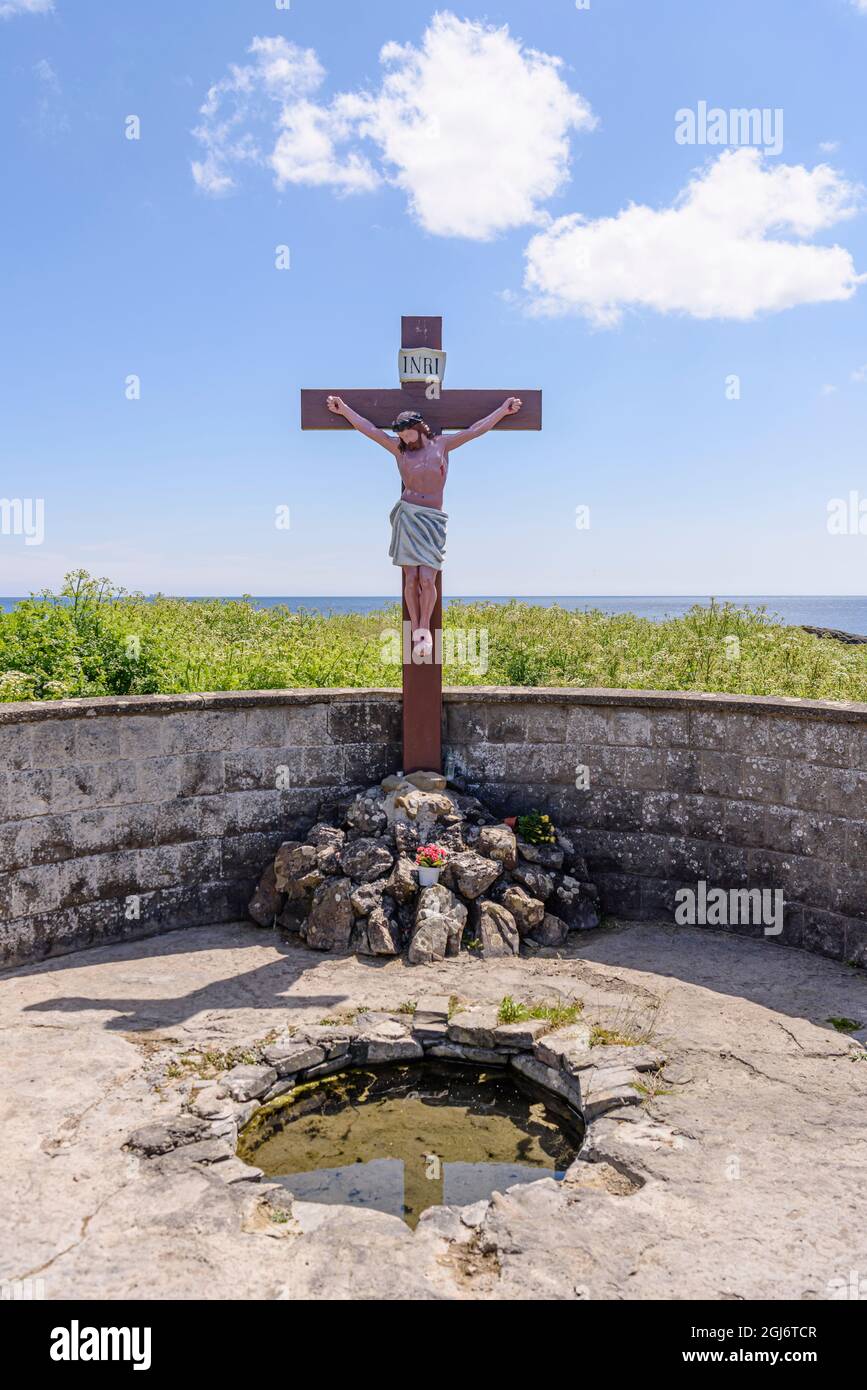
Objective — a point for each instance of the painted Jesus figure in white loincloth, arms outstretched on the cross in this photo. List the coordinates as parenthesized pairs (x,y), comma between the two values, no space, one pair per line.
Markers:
(419,523)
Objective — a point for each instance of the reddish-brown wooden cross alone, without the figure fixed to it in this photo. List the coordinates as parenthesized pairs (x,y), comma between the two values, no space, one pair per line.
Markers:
(443,411)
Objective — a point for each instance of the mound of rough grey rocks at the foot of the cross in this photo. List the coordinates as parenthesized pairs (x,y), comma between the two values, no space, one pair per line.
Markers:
(354,886)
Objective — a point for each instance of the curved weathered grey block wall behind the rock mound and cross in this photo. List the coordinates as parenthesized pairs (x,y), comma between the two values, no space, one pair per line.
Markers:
(129,817)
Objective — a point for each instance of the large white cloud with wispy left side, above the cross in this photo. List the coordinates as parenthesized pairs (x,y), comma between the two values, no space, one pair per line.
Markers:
(470,124)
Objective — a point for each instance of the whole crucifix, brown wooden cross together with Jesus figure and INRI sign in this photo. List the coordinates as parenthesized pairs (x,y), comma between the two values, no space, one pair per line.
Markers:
(419,414)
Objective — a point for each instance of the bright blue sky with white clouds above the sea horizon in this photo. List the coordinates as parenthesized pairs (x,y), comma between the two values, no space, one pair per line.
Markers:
(513,167)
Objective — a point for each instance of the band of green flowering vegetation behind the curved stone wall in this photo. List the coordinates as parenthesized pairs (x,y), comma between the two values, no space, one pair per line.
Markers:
(92,639)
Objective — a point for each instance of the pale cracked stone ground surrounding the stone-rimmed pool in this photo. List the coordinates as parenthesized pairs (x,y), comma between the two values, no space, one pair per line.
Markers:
(758,1195)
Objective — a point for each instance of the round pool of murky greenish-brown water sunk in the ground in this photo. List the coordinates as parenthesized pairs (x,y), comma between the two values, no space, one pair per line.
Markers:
(404,1139)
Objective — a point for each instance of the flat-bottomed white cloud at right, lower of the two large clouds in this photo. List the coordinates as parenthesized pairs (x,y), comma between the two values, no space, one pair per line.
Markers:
(733,245)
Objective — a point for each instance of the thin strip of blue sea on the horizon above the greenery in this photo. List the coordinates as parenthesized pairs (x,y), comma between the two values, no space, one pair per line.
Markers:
(848,614)
